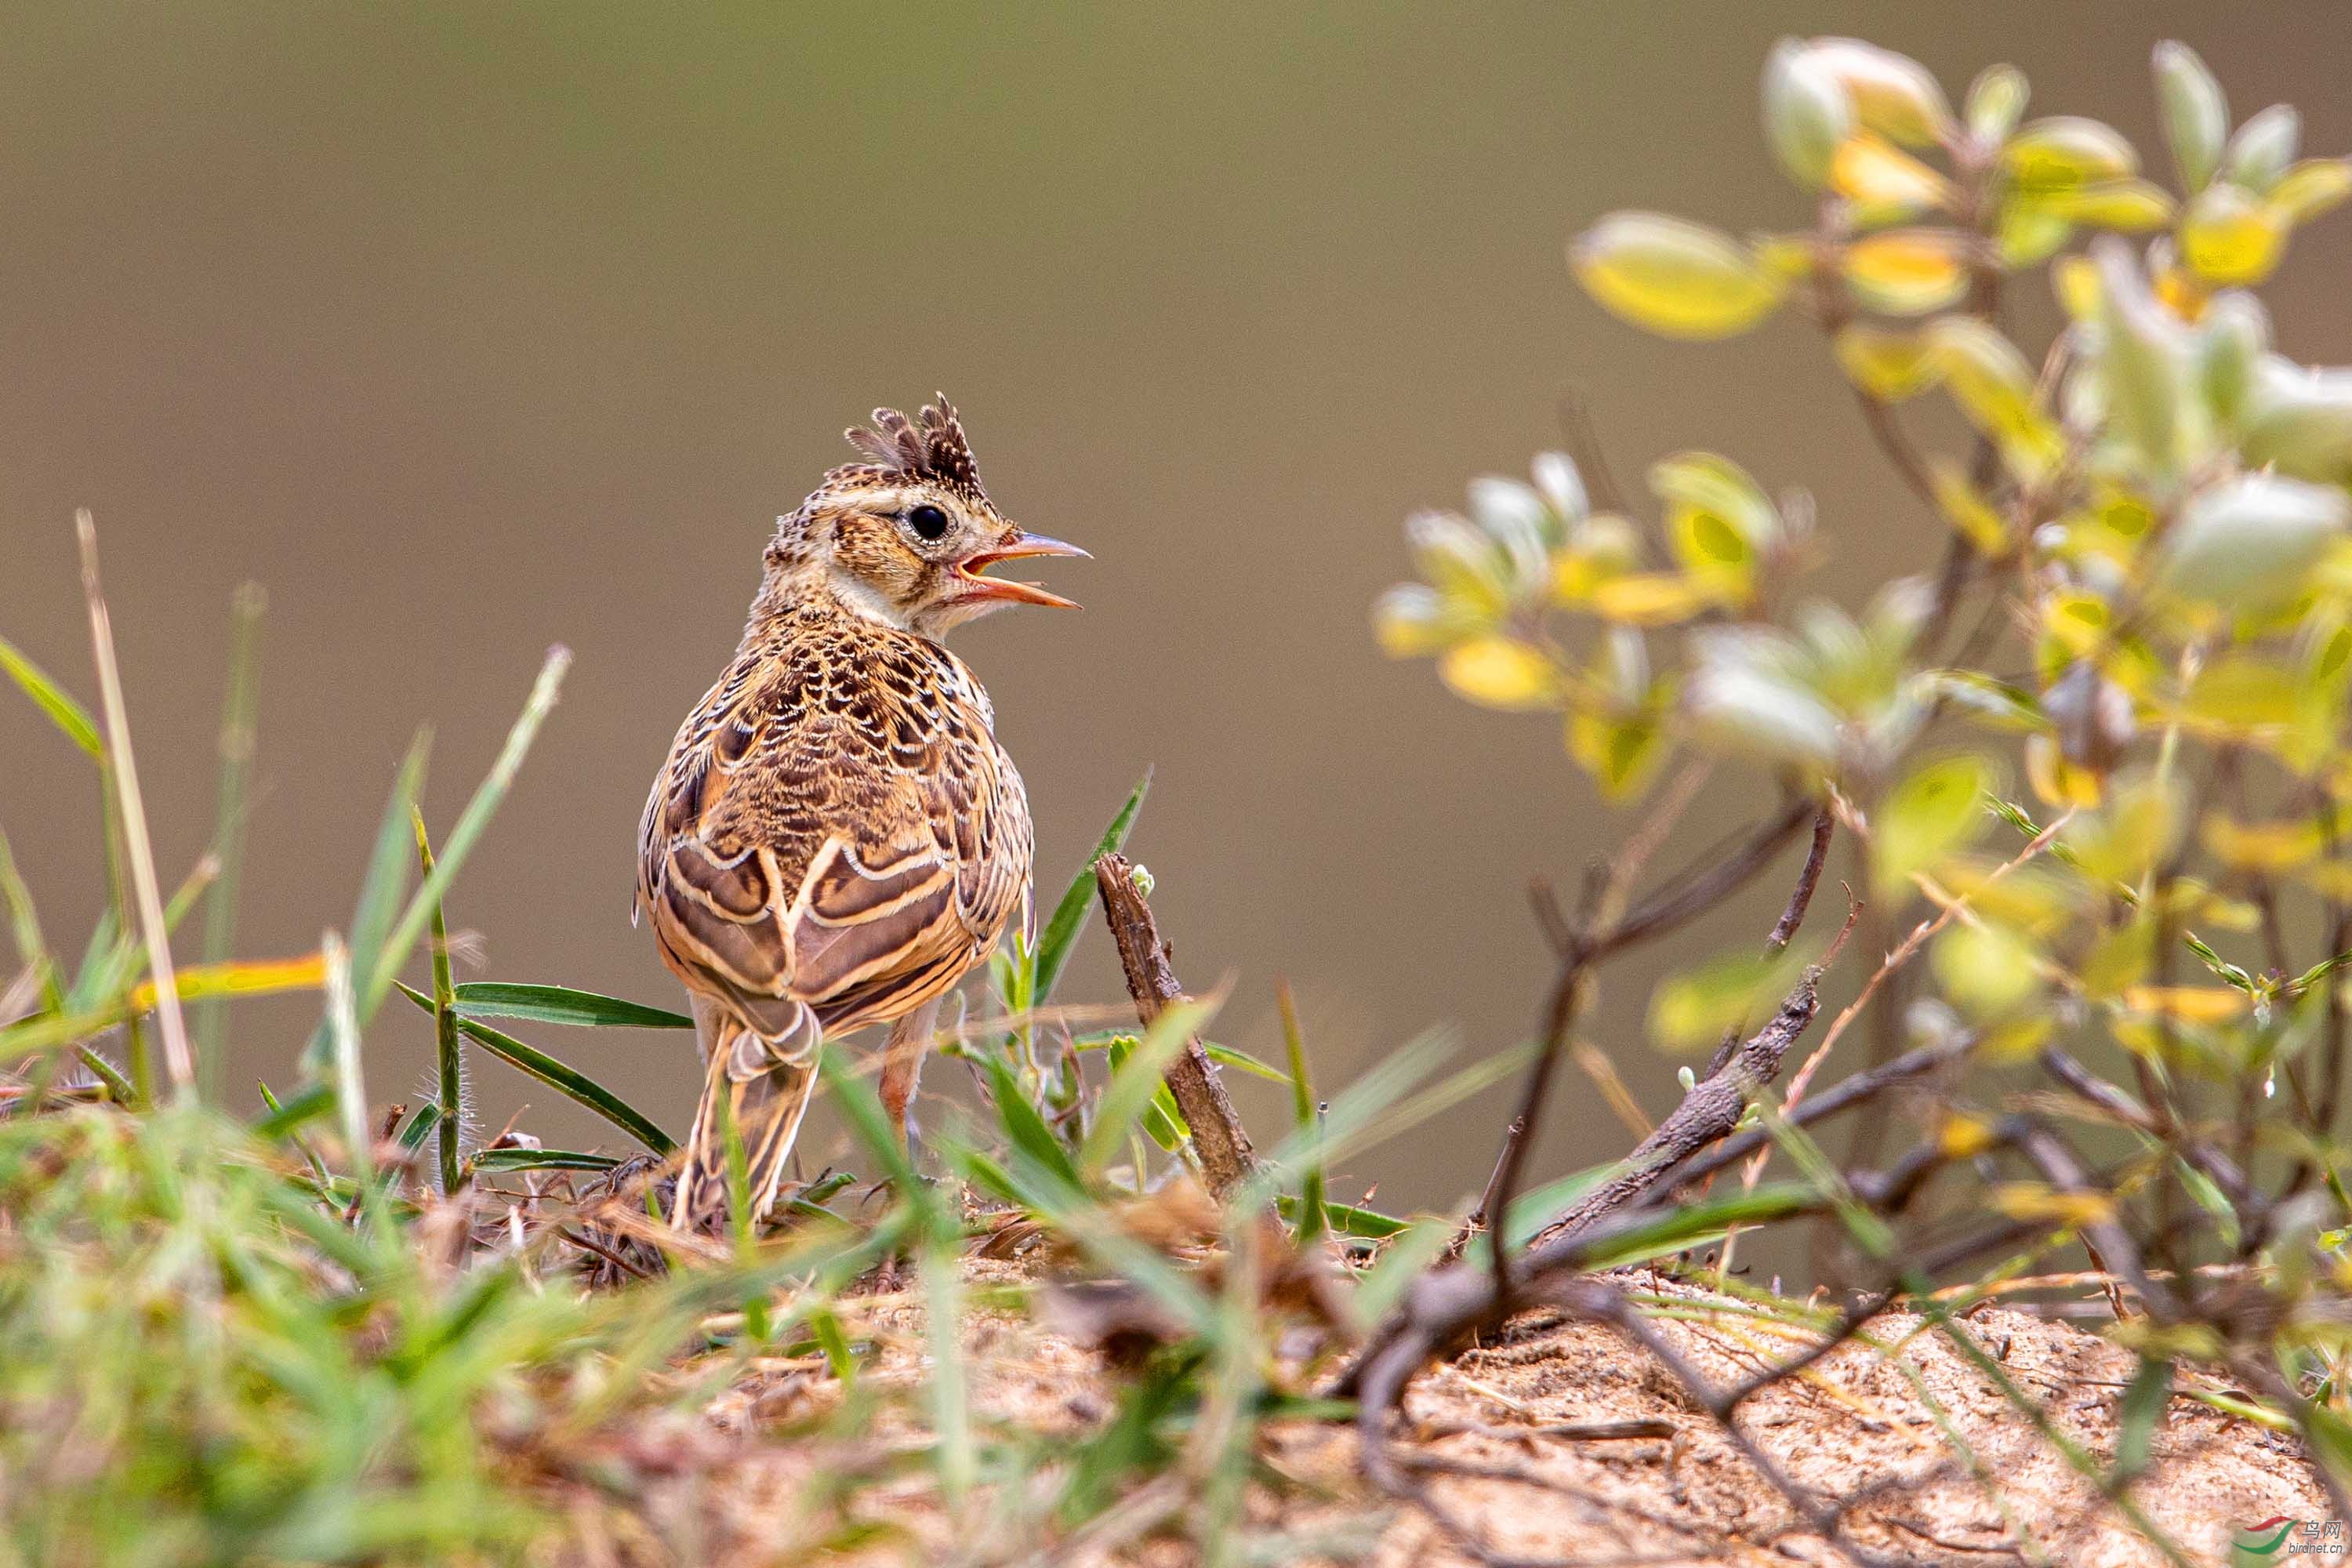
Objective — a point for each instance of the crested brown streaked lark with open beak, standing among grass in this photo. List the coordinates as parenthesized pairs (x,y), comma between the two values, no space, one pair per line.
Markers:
(836,836)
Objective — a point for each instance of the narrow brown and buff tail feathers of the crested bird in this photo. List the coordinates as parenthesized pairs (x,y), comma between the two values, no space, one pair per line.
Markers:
(756,1090)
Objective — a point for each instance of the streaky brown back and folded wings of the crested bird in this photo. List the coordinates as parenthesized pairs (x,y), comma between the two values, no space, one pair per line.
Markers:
(834,833)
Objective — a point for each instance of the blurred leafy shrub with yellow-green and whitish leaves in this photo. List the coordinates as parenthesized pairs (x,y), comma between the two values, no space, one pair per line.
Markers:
(2094,751)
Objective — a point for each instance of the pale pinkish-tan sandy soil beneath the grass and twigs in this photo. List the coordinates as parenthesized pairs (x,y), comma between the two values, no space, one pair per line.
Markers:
(1869,1423)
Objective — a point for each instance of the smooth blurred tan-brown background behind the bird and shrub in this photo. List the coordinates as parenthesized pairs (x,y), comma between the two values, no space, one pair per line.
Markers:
(481,330)
